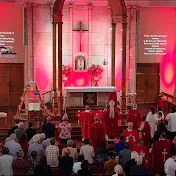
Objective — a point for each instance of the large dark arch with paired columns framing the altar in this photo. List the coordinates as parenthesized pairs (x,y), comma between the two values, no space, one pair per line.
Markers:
(119,15)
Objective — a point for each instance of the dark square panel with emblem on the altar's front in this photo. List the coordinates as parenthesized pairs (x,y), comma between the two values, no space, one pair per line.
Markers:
(90,98)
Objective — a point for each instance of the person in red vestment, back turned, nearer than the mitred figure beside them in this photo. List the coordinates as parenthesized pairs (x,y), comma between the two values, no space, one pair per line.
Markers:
(97,133)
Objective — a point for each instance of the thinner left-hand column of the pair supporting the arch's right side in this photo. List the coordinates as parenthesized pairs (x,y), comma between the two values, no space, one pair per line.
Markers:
(113,54)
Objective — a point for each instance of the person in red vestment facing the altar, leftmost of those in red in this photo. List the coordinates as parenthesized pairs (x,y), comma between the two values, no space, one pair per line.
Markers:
(85,119)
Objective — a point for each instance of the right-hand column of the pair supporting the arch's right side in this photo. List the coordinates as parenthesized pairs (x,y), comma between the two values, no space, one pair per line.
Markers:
(124,27)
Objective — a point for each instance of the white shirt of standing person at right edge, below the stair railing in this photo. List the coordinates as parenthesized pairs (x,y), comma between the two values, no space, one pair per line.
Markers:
(171,118)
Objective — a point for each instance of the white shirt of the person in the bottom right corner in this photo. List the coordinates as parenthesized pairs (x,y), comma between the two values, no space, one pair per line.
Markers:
(170,167)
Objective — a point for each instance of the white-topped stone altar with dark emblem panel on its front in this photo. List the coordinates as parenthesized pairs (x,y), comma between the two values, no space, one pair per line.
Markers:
(90,95)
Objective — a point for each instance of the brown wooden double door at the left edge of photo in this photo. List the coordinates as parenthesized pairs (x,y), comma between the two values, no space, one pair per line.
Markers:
(11,84)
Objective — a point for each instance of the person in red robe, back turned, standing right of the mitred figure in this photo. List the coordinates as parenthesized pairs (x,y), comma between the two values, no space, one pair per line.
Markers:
(134,116)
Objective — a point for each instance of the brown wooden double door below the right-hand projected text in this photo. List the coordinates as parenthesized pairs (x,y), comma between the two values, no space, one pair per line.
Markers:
(147,83)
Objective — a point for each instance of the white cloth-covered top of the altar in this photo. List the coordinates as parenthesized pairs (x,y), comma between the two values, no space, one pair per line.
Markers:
(90,89)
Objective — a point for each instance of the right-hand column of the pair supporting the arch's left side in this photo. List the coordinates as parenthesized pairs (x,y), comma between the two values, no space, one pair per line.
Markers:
(60,63)
